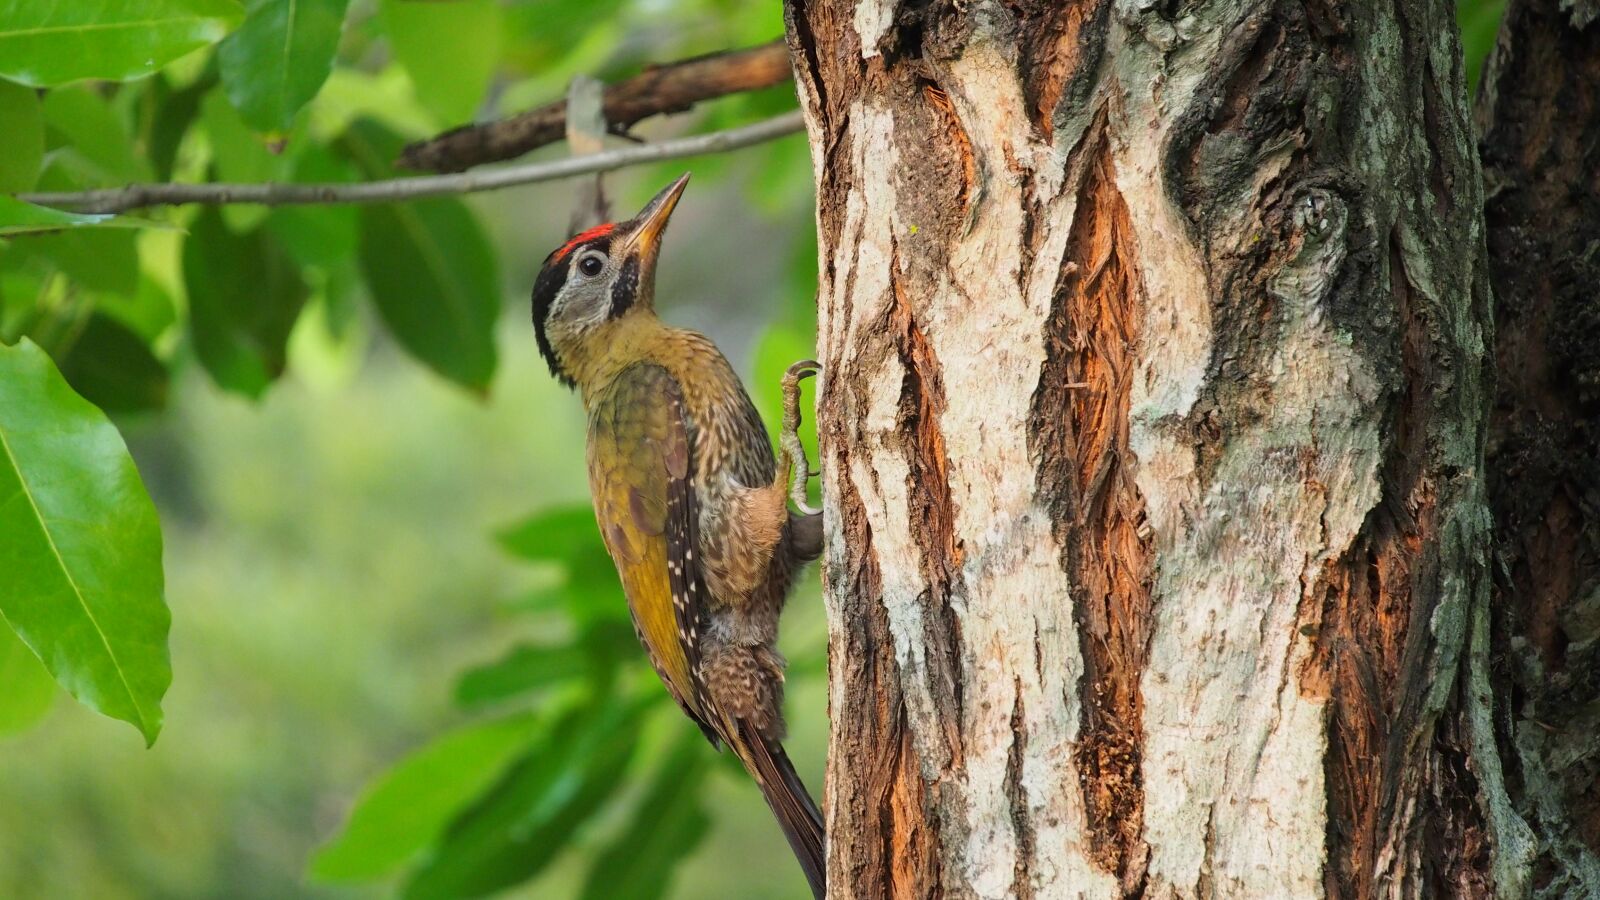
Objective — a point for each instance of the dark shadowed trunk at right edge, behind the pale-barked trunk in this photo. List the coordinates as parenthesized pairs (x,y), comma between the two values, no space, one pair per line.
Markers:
(1542,156)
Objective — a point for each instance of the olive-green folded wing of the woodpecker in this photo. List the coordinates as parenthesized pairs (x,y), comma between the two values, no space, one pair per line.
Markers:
(641,478)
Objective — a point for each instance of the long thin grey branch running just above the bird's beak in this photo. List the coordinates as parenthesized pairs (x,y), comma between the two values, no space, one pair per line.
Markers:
(281,195)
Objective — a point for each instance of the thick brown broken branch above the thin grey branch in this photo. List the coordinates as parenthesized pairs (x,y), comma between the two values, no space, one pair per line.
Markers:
(657,90)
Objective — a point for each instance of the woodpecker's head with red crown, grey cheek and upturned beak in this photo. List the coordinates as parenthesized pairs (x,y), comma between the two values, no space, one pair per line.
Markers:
(598,281)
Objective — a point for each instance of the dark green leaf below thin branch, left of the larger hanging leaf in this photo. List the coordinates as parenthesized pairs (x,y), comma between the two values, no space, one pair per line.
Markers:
(244,300)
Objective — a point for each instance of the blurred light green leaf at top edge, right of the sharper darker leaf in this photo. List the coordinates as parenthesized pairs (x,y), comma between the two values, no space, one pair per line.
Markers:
(450,50)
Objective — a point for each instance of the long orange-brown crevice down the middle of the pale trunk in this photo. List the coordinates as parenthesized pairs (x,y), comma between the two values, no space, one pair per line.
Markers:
(1086,476)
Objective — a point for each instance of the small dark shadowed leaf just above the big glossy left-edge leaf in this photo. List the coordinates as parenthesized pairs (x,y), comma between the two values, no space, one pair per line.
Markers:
(114,369)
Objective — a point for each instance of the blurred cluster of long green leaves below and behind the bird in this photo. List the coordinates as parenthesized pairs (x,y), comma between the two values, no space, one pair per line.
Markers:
(572,745)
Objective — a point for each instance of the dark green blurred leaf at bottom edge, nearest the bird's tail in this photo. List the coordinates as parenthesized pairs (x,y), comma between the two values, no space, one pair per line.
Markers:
(662,834)
